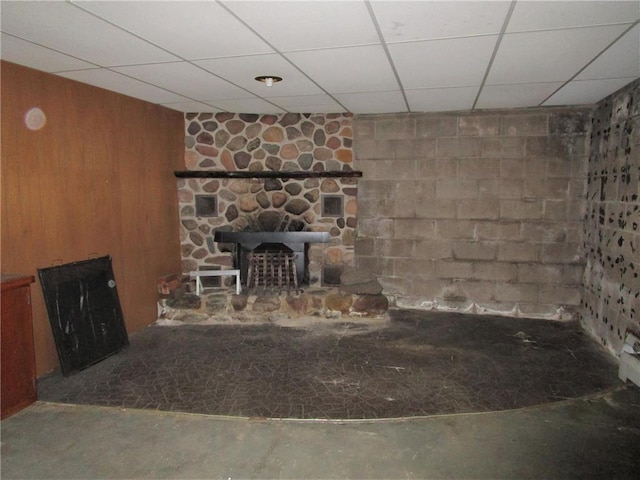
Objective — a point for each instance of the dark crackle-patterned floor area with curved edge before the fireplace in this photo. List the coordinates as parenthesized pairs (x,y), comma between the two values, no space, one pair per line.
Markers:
(418,363)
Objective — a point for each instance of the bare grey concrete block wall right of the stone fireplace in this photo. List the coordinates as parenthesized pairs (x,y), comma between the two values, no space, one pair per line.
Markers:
(474,212)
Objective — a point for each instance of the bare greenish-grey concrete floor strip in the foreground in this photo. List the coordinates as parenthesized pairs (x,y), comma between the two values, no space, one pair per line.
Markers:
(591,437)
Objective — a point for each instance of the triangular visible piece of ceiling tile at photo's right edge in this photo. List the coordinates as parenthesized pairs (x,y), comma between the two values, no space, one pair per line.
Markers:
(622,59)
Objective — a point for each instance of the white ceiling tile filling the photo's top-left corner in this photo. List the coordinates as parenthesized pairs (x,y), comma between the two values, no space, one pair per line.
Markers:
(69,30)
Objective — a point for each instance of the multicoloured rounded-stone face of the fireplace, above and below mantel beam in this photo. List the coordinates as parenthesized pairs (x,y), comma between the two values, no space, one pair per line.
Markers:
(256,143)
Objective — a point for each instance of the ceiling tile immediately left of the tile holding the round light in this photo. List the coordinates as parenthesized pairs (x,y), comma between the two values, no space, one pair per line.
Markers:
(185,79)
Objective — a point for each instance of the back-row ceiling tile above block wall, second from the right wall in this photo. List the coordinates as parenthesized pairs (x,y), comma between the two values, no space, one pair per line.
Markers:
(514,96)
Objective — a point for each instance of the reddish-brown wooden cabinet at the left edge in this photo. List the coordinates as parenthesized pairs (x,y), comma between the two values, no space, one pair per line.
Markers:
(18,359)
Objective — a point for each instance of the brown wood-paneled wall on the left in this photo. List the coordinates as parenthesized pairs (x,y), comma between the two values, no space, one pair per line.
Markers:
(96,180)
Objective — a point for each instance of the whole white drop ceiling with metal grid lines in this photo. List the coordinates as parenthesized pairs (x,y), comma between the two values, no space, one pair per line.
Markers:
(334,56)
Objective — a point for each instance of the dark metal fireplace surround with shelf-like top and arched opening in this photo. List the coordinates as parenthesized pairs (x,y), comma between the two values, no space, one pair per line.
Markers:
(246,242)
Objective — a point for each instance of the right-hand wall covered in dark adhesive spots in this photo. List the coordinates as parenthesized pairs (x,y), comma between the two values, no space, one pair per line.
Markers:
(612,224)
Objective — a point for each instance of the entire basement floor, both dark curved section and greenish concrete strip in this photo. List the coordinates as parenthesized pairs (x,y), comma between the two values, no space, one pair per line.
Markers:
(482,397)
